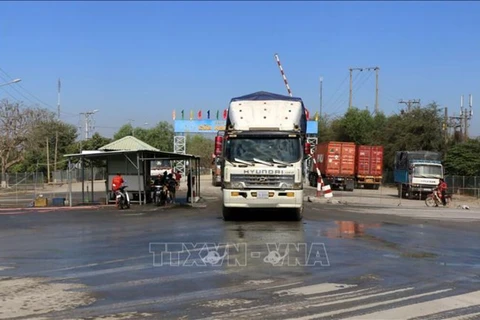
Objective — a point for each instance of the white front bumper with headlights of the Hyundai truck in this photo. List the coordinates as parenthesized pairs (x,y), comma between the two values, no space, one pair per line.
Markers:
(233,198)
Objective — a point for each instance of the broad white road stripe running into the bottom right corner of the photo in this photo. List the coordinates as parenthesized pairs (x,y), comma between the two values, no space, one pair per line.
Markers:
(426,308)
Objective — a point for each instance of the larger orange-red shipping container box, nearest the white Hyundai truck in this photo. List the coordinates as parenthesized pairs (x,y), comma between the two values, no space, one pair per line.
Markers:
(336,158)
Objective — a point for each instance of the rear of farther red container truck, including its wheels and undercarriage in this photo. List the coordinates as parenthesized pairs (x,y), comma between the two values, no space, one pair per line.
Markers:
(369,166)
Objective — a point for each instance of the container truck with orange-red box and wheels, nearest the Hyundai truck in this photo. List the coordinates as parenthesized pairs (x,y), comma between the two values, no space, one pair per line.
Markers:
(336,161)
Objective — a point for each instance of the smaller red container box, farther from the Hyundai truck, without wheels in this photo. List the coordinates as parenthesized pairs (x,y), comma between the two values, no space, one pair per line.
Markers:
(369,161)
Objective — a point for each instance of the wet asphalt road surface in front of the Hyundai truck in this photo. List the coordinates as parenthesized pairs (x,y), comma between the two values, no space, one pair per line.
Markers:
(342,263)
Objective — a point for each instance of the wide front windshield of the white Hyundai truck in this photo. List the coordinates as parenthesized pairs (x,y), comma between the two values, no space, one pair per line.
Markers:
(266,149)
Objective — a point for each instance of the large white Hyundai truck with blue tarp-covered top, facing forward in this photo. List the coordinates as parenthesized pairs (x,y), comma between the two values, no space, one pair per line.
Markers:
(264,148)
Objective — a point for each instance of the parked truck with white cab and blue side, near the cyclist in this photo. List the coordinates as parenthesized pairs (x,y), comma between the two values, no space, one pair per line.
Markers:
(417,173)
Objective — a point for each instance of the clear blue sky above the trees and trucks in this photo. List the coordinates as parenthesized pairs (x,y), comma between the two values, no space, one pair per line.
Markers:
(141,60)
